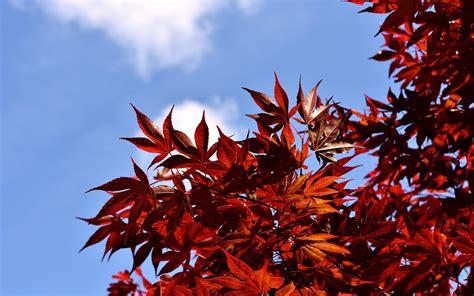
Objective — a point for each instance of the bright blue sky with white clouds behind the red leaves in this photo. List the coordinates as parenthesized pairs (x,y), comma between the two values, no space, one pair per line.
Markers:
(69,72)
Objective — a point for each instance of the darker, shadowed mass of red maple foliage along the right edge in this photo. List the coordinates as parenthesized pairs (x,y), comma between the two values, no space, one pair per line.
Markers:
(419,199)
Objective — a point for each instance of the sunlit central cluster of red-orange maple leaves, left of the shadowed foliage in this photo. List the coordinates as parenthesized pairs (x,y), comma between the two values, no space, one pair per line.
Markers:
(241,217)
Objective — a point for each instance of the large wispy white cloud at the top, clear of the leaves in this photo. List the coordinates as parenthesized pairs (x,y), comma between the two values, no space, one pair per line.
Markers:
(156,34)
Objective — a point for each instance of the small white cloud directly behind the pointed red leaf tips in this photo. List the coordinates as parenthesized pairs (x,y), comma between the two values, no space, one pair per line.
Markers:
(187,115)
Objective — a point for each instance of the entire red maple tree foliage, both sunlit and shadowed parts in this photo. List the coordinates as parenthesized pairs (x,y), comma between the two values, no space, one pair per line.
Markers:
(249,217)
